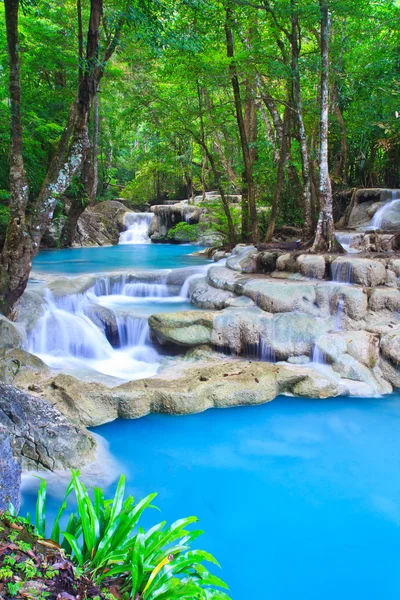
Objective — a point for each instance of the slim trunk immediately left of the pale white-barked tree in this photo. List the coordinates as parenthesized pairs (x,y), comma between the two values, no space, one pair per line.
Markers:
(305,161)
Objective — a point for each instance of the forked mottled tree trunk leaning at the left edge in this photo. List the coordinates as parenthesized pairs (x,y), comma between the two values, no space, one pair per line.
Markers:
(24,232)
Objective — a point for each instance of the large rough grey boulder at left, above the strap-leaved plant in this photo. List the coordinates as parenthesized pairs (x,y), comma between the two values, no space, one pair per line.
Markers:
(42,436)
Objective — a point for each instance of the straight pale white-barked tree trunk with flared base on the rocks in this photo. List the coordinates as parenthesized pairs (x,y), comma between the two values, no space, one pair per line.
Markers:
(325,235)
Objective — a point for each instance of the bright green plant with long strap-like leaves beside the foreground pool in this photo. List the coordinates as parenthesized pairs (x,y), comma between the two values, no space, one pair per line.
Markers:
(107,544)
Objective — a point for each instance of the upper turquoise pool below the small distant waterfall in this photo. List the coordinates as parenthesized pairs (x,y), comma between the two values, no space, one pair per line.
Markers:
(76,261)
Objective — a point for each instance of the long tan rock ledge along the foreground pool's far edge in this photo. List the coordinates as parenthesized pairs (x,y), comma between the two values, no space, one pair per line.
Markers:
(221,385)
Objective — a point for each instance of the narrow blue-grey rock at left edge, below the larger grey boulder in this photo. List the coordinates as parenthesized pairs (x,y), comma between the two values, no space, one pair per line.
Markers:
(10,473)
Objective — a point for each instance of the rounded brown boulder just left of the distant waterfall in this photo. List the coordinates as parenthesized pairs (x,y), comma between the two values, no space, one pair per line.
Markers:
(101,224)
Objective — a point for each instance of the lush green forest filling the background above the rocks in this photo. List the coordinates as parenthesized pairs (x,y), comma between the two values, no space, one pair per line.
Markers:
(193,95)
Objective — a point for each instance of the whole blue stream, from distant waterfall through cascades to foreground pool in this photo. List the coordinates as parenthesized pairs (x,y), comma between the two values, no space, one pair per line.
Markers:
(298,498)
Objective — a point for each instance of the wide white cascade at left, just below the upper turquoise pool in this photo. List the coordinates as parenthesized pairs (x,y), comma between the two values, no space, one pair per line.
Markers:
(65,337)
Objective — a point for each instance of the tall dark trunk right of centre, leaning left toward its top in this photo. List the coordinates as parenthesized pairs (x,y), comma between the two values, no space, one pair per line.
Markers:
(240,121)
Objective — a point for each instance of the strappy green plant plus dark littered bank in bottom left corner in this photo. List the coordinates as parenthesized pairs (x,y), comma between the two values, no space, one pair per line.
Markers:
(98,550)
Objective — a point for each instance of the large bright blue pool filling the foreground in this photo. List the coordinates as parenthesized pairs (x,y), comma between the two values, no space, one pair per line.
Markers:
(299,498)
